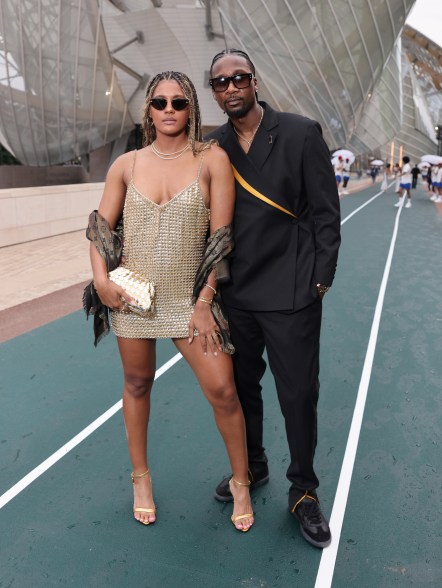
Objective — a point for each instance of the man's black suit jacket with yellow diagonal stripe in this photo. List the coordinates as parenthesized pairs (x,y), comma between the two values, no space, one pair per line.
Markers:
(278,260)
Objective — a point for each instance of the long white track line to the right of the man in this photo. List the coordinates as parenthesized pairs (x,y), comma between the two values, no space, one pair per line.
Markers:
(328,558)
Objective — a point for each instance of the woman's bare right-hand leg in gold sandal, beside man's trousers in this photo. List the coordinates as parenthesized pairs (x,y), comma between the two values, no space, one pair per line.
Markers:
(215,376)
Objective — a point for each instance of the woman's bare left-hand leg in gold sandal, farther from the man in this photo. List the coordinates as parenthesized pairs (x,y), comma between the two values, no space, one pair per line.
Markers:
(138,357)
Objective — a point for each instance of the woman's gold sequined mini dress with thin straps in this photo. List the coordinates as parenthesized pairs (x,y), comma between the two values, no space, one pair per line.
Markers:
(165,243)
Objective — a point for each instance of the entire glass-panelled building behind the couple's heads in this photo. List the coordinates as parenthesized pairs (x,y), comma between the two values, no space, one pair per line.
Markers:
(73,74)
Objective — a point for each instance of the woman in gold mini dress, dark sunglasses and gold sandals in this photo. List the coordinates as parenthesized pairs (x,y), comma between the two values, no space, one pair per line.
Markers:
(171,193)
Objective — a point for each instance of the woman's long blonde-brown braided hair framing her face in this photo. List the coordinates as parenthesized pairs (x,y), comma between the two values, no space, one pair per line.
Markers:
(193,126)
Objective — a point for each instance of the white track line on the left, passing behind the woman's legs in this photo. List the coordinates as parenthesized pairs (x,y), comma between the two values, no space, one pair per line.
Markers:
(50,461)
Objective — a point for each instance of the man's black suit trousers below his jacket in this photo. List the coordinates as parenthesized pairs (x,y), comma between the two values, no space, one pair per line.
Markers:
(291,340)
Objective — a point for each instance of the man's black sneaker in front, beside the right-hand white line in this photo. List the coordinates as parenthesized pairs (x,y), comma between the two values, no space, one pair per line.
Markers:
(313,525)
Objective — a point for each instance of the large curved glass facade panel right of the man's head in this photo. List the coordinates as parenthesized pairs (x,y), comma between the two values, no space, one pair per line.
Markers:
(326,59)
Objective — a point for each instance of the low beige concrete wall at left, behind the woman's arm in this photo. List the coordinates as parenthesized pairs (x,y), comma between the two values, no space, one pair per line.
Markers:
(35,213)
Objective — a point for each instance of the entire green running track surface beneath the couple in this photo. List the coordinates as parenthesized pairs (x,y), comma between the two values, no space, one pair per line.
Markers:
(73,525)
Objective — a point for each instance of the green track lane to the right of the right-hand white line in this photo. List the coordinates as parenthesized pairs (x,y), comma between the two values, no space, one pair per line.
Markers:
(392,527)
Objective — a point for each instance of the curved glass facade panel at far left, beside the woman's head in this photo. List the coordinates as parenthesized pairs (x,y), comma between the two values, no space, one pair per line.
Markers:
(59,96)
